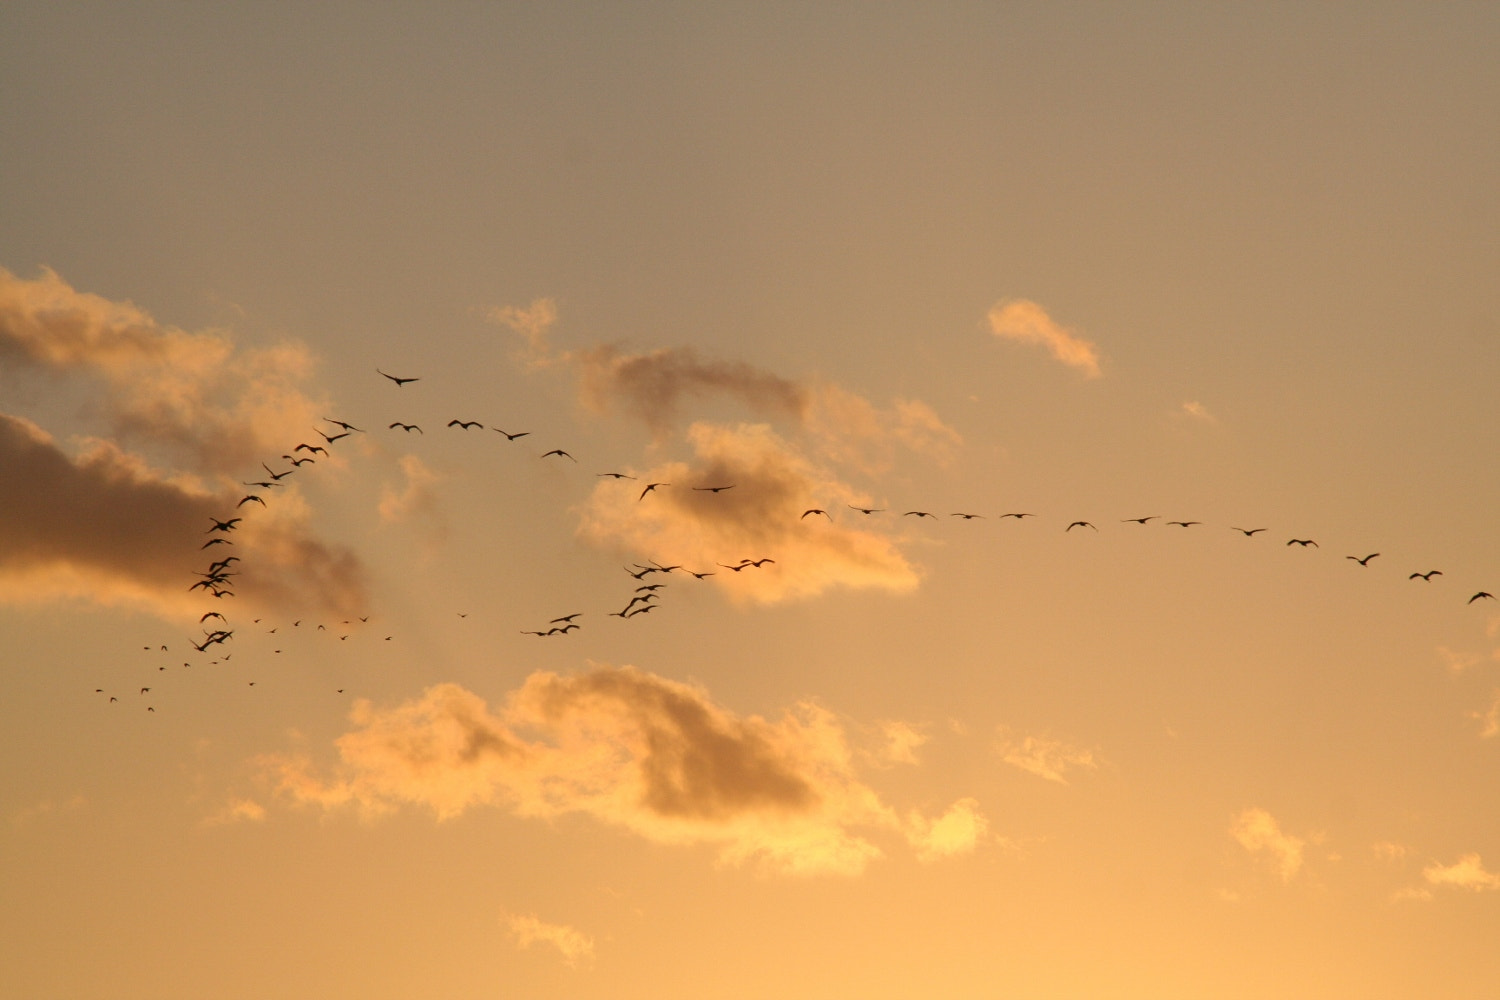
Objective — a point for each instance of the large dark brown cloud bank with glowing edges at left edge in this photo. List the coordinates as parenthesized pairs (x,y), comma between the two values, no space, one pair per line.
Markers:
(106,524)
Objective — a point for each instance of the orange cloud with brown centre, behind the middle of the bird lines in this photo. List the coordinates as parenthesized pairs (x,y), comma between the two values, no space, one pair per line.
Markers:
(775,484)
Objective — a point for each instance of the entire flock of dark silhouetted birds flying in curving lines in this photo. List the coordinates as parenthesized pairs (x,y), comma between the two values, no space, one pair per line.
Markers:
(217,579)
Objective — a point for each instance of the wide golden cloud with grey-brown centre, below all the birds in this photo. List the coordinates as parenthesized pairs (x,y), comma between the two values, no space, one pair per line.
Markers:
(634,750)
